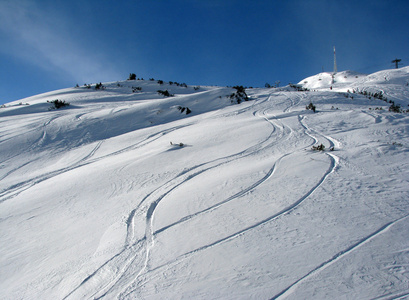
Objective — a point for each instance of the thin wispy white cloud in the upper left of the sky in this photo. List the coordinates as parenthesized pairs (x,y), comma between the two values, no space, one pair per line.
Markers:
(42,38)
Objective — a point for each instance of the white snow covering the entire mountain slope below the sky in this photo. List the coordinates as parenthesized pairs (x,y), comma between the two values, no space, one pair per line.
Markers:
(96,203)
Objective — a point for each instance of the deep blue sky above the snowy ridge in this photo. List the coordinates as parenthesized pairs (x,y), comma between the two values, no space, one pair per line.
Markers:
(52,44)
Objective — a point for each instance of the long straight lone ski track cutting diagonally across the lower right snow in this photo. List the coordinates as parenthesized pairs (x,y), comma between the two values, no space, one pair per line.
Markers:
(337,257)
